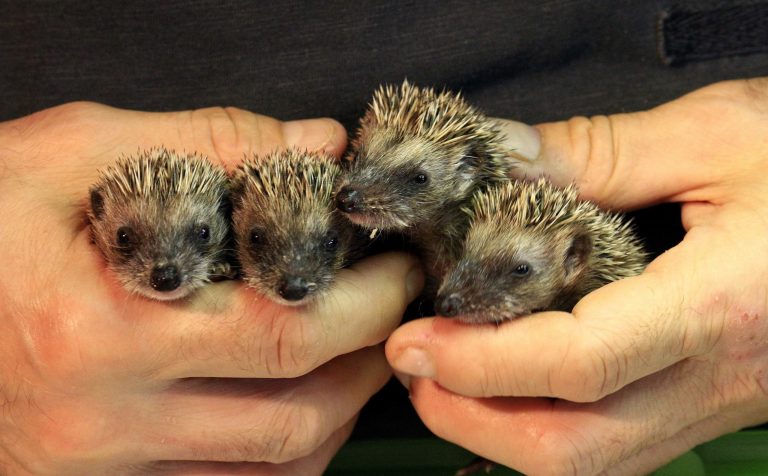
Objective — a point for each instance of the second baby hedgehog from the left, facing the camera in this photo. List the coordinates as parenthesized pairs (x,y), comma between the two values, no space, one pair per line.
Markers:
(291,240)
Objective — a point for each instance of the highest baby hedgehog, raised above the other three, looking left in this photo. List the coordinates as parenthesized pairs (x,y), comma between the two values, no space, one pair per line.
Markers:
(418,156)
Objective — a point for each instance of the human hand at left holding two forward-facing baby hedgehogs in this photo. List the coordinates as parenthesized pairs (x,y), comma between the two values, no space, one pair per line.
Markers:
(96,381)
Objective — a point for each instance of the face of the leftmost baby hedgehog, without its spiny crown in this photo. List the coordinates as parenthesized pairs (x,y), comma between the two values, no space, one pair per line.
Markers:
(163,249)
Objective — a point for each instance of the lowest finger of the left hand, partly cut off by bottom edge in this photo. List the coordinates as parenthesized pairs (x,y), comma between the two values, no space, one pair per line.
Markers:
(313,464)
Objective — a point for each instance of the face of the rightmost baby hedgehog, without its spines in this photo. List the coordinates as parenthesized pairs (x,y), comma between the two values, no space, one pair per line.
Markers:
(506,273)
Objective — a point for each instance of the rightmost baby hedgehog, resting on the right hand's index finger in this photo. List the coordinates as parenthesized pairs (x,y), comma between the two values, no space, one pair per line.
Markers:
(534,247)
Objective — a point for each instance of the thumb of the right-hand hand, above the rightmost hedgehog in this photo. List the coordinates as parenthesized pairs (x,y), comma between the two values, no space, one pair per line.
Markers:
(673,152)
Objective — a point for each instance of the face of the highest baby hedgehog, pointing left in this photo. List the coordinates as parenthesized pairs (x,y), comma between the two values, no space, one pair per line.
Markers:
(398,182)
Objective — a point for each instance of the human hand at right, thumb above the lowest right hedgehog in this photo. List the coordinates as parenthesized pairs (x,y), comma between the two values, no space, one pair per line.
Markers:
(644,368)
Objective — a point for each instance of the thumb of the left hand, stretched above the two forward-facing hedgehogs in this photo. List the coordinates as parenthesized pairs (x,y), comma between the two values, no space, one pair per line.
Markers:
(85,137)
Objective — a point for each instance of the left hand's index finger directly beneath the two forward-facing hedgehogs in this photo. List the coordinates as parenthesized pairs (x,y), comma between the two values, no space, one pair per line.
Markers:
(227,330)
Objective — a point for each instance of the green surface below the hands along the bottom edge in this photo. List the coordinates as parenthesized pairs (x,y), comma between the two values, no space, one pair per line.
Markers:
(744,454)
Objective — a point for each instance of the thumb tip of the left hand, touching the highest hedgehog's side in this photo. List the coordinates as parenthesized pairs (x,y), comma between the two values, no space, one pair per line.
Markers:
(320,134)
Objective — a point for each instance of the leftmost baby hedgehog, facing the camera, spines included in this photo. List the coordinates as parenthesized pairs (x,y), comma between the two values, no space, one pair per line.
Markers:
(161,220)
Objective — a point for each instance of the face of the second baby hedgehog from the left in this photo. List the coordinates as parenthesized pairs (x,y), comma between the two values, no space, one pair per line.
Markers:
(291,254)
